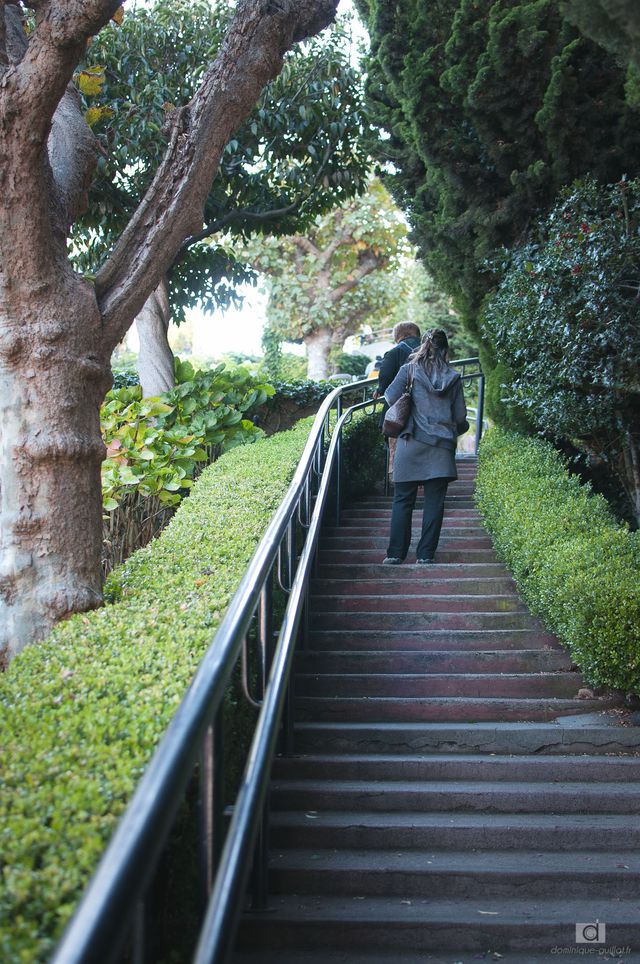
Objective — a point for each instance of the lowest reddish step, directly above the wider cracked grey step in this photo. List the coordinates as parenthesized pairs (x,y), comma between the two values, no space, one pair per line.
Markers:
(446,709)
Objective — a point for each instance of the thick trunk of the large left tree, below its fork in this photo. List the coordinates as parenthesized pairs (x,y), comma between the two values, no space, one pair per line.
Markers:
(50,456)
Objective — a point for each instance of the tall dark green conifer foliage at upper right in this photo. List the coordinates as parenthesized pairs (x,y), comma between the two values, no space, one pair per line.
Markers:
(488,108)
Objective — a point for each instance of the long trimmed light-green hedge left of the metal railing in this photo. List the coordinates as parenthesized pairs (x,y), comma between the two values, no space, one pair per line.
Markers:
(81,713)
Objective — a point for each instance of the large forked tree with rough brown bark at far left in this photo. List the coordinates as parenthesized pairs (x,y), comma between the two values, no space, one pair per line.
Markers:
(56,330)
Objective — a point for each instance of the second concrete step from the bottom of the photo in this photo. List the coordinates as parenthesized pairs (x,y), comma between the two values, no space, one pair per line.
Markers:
(456,874)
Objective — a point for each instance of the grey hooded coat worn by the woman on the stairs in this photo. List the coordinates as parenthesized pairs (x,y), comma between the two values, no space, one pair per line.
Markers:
(426,449)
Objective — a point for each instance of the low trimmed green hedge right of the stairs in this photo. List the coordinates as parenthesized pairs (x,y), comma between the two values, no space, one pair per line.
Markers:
(574,564)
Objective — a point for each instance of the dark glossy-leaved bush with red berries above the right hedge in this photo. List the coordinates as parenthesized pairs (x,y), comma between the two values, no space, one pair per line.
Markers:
(565,321)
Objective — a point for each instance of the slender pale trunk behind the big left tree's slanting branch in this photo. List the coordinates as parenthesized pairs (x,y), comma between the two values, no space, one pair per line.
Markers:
(155,358)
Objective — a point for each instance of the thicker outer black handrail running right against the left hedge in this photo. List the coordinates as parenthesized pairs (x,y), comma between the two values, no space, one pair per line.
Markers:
(107,910)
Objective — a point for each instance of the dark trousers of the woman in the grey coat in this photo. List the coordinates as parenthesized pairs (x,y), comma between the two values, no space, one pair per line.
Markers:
(404,500)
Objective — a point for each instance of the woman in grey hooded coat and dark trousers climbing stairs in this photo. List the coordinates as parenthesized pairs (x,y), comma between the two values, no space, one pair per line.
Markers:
(426,450)
